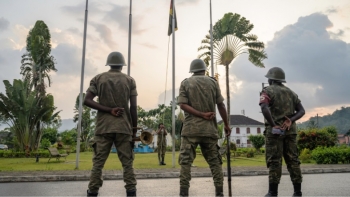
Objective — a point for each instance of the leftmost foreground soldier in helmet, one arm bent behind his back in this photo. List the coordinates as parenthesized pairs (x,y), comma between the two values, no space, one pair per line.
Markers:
(114,122)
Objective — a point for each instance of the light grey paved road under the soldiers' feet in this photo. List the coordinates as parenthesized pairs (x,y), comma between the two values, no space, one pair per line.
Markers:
(331,184)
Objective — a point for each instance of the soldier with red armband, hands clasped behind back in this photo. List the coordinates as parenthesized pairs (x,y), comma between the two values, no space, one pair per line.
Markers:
(281,107)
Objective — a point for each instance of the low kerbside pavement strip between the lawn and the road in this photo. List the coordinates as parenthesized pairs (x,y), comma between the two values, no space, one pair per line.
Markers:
(161,172)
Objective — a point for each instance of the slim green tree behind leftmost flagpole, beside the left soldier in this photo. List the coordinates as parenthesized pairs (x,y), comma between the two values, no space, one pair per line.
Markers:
(87,121)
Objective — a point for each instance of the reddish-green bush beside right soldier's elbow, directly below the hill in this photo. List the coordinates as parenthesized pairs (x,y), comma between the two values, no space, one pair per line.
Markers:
(312,138)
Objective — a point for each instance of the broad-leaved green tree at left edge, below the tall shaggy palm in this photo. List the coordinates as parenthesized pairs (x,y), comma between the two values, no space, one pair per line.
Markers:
(23,110)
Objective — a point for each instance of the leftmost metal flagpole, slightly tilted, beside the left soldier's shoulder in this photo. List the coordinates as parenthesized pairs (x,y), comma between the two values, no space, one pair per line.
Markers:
(81,89)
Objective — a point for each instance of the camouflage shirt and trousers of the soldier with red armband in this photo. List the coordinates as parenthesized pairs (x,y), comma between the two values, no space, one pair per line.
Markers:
(282,102)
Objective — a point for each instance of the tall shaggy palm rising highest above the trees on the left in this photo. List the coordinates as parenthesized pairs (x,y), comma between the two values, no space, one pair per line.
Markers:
(37,62)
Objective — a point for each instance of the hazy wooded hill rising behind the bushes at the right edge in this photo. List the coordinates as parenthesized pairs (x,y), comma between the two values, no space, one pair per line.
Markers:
(340,118)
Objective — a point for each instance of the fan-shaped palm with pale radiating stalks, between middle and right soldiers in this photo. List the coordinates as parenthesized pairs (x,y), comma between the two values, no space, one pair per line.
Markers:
(231,38)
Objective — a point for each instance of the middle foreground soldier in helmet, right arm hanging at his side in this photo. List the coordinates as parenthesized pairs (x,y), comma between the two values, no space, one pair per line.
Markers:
(198,97)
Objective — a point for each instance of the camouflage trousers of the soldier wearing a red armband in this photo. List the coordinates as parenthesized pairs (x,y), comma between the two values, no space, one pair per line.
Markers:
(282,146)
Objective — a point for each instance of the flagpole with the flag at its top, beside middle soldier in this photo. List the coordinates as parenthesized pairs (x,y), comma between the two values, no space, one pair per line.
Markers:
(173,88)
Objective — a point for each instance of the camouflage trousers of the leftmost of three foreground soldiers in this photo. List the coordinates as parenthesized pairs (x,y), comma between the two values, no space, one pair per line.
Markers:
(102,147)
